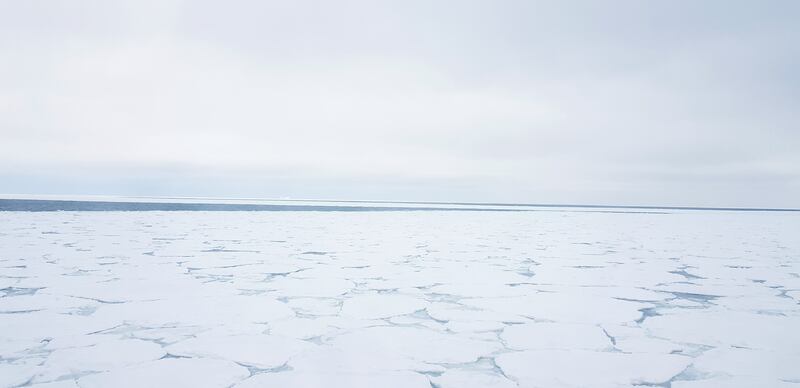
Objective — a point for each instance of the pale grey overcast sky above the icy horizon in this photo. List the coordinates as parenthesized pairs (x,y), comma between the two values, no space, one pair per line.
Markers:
(693,103)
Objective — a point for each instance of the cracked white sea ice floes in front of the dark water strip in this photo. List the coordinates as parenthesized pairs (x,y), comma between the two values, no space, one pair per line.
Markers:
(400,299)
